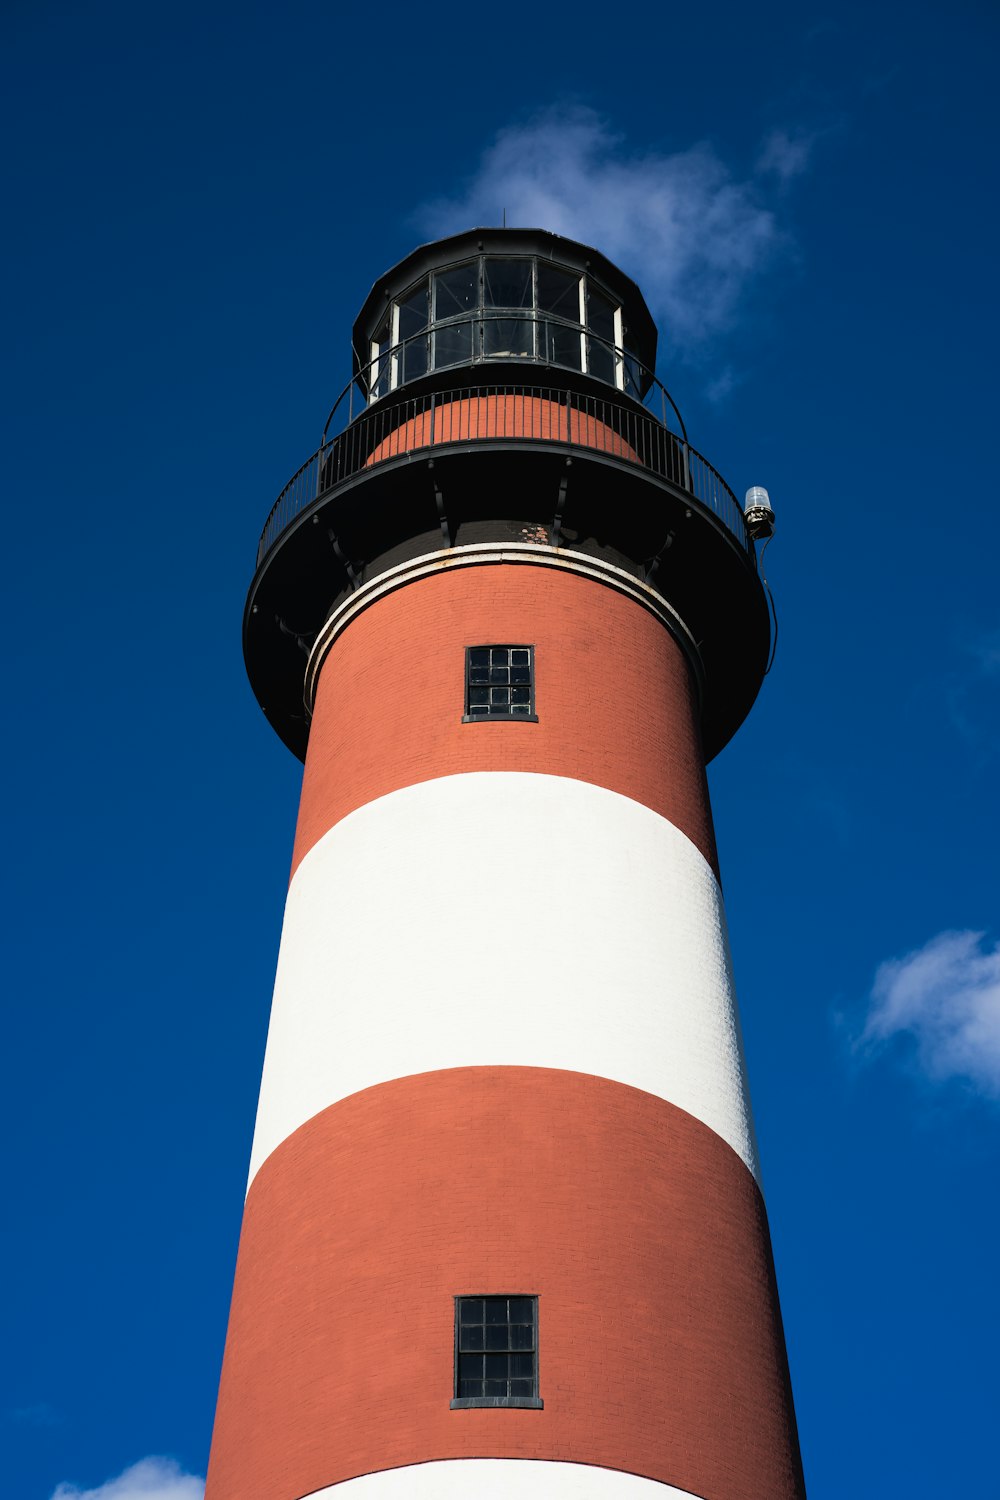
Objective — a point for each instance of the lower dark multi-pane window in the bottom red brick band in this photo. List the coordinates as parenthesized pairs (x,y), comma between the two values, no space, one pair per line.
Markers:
(497,1352)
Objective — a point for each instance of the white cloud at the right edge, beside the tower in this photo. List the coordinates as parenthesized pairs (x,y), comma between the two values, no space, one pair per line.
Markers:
(945,998)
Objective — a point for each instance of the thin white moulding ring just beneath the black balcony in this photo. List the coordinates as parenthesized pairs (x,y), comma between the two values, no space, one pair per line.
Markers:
(487,553)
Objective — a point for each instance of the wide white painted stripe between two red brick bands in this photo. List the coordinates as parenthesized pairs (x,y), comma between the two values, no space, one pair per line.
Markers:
(504,919)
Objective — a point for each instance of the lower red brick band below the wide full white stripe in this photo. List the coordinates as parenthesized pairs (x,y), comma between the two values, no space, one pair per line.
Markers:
(639,1229)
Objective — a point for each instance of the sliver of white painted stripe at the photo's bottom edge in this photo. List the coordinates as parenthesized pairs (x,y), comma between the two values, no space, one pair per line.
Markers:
(500,1480)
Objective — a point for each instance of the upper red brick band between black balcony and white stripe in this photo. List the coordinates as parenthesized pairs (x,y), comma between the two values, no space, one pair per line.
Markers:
(614,697)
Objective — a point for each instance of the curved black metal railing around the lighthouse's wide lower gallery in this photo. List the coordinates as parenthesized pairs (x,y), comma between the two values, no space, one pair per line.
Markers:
(394,430)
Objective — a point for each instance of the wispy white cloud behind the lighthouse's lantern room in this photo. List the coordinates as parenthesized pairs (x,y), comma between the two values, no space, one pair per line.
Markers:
(680,223)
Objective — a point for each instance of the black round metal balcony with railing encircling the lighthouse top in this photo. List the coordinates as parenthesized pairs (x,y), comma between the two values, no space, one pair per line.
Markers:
(443,466)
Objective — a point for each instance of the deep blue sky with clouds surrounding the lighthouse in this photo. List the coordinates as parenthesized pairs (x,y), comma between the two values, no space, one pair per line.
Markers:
(199,200)
